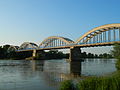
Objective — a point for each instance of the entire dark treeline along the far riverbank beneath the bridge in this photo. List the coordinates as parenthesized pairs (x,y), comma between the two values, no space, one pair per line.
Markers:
(52,54)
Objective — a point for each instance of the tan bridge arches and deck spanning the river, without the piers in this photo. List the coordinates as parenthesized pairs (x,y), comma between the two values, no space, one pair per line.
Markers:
(100,36)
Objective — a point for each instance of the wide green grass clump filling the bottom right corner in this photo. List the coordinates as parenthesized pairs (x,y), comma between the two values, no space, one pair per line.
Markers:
(100,83)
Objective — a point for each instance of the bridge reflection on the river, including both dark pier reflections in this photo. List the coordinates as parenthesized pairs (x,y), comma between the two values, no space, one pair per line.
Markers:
(57,71)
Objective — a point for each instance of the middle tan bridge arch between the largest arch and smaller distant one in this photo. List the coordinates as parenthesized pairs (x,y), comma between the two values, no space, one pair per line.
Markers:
(55,41)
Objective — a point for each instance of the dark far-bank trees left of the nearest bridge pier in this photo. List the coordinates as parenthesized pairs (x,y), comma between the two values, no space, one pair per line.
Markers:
(52,54)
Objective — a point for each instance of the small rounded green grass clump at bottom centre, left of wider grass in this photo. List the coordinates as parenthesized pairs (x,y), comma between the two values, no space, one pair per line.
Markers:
(66,85)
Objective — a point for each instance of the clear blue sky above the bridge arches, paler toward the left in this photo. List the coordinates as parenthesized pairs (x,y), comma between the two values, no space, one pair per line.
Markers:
(34,20)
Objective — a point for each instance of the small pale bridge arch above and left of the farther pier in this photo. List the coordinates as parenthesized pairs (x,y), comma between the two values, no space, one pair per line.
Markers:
(28,46)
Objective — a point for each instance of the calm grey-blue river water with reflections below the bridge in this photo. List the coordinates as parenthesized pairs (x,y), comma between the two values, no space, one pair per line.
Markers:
(47,74)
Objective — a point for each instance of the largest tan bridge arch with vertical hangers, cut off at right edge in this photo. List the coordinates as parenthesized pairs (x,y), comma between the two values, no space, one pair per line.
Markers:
(101,34)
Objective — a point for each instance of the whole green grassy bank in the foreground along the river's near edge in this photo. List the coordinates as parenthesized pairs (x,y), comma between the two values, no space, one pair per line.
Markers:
(94,83)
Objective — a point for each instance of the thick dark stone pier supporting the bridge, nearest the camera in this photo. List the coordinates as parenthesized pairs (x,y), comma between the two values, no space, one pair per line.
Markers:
(75,53)
